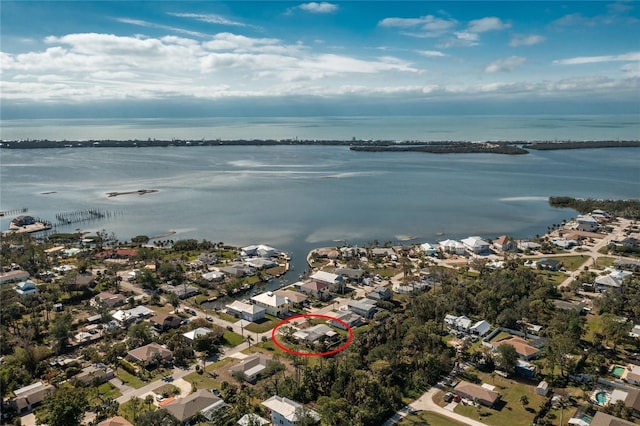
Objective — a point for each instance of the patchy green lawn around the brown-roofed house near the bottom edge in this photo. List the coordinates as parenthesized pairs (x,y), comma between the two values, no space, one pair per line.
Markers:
(511,412)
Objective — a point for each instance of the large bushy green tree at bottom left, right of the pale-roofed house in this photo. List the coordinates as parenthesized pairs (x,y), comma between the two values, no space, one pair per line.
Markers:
(66,407)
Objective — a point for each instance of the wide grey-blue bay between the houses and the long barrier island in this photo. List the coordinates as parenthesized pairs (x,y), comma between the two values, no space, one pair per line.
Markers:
(299,197)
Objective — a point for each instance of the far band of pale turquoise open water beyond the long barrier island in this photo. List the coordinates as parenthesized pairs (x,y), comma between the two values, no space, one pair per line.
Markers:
(471,127)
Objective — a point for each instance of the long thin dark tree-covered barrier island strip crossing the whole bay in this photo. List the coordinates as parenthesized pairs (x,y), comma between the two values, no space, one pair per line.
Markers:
(437,147)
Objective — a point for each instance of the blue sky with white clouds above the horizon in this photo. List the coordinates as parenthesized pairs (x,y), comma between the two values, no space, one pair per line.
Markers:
(165,58)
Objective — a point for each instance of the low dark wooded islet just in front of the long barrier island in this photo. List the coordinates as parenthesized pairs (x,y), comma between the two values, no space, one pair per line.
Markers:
(449,148)
